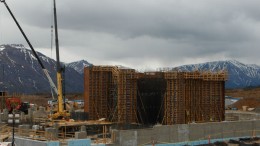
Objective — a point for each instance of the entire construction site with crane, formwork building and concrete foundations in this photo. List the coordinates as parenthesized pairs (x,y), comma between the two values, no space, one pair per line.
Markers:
(124,107)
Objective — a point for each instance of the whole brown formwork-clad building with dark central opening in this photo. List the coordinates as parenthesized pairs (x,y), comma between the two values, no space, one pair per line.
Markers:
(168,97)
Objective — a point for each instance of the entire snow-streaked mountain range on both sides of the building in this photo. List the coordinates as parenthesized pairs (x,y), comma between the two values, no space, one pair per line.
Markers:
(20,72)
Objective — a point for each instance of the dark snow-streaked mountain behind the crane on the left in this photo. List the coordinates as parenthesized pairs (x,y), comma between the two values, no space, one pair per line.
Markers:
(20,72)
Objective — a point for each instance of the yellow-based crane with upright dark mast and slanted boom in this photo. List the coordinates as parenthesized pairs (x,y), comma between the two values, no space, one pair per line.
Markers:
(61,112)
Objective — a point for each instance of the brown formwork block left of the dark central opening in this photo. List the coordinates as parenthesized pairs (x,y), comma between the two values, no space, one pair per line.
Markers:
(110,93)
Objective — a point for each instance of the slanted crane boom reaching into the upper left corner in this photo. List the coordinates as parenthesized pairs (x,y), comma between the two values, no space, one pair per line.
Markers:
(34,52)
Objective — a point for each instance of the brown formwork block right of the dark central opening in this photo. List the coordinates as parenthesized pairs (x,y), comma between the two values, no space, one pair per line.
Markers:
(194,97)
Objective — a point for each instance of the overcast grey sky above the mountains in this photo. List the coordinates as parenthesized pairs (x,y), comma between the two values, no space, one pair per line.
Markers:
(142,34)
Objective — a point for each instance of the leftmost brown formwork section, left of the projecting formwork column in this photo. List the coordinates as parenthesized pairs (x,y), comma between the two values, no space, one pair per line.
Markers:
(100,91)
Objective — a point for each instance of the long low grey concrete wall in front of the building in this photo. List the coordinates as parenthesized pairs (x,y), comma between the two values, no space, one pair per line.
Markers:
(187,132)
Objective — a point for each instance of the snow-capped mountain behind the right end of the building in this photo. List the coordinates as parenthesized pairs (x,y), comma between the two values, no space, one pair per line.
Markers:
(239,75)
